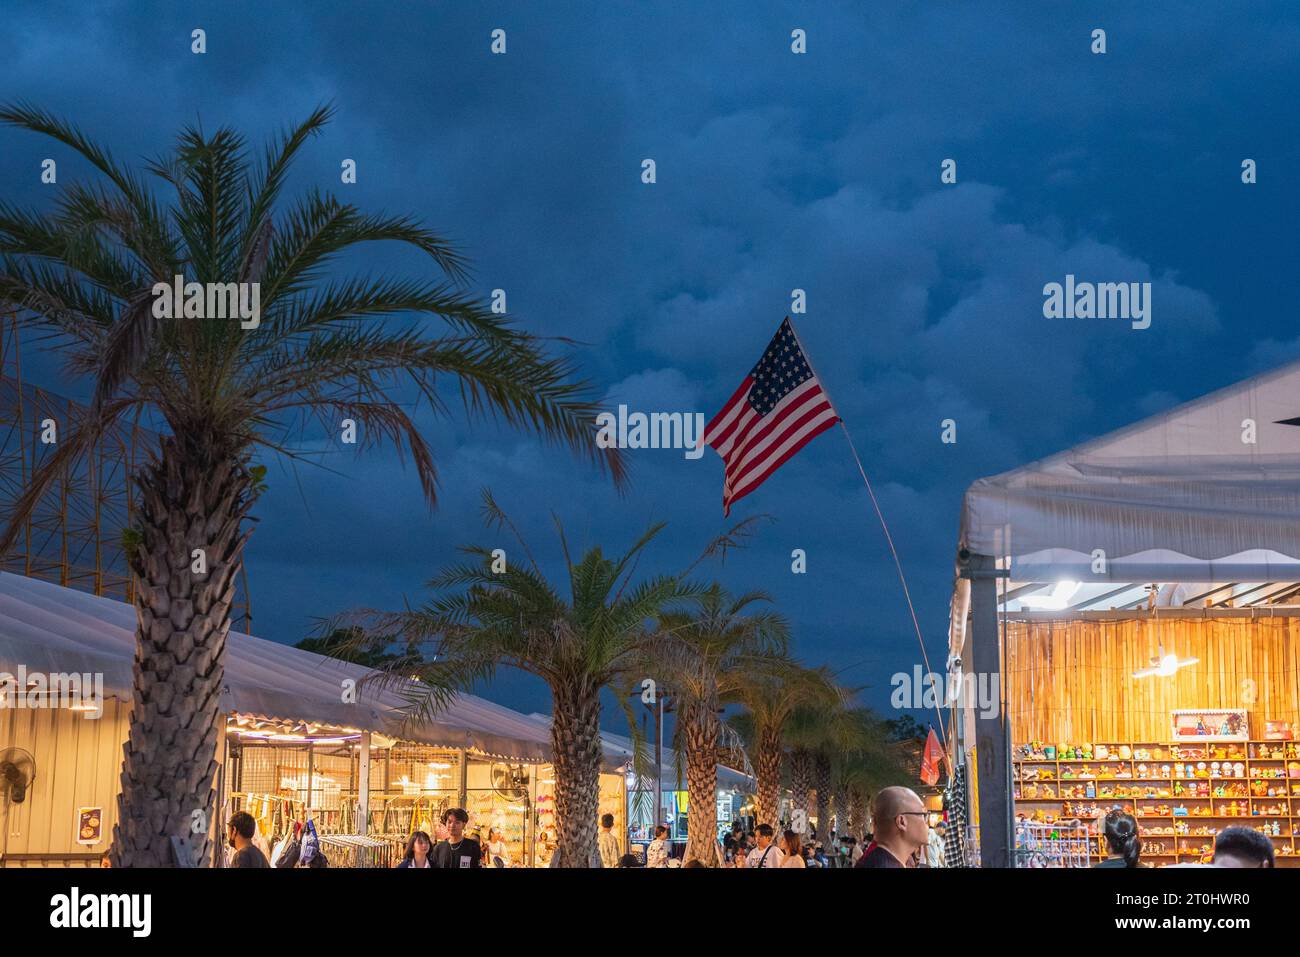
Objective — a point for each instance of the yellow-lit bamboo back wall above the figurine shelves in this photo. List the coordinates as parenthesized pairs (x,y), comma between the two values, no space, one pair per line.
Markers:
(1072,682)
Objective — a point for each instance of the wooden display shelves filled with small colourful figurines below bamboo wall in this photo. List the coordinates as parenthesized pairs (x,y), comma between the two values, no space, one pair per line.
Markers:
(1178,813)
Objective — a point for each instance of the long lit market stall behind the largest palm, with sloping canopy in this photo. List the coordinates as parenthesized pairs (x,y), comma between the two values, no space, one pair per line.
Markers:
(296,747)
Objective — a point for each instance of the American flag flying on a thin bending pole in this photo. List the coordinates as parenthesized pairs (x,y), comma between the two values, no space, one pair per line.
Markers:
(778,410)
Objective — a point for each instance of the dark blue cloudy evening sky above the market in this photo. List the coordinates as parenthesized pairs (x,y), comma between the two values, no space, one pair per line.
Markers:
(775,172)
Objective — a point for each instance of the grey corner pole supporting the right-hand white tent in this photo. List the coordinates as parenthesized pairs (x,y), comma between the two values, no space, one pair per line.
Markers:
(993,734)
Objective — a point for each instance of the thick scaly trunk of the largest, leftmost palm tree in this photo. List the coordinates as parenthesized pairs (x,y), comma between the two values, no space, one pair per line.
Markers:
(194,496)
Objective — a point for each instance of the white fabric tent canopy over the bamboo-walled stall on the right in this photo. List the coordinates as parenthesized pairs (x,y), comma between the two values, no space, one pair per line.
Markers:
(1207,492)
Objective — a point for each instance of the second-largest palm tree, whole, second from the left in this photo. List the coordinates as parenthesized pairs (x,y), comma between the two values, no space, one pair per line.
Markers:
(596,634)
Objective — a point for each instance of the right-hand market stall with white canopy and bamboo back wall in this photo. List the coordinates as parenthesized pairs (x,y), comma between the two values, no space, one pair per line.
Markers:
(1137,604)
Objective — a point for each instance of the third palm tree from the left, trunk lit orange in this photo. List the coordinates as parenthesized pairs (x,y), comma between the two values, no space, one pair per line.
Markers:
(708,655)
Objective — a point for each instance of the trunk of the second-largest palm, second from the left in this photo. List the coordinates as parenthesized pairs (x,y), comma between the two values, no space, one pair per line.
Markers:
(577,757)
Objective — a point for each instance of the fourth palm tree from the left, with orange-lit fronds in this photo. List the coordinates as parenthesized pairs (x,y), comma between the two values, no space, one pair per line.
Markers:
(769,700)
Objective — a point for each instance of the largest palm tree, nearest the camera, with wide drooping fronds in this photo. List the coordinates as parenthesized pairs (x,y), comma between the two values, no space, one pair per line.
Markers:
(331,350)
